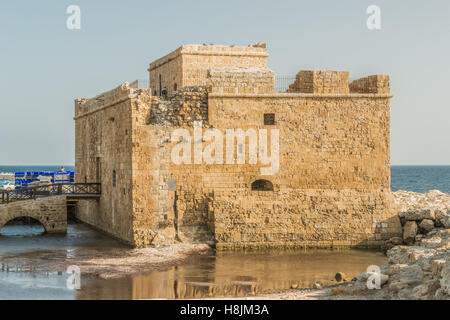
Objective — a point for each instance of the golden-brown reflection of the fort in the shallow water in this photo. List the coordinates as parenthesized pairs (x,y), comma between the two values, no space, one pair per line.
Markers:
(235,275)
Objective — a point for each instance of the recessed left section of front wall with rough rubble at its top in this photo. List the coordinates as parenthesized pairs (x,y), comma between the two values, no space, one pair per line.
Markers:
(165,214)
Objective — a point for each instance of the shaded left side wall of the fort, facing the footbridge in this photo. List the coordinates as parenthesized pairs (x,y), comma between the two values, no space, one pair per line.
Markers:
(103,130)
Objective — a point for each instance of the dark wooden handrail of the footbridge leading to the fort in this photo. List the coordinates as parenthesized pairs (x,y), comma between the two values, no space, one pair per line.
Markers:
(49,190)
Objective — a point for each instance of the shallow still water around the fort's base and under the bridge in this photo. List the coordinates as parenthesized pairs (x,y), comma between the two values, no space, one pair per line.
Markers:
(228,274)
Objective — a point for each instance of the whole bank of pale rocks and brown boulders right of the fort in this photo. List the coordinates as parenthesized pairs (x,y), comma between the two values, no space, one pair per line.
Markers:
(422,269)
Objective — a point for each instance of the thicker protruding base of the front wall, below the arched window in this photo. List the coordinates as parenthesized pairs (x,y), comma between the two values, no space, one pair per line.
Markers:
(303,218)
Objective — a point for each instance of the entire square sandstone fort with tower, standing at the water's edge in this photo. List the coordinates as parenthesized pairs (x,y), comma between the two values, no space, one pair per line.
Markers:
(332,187)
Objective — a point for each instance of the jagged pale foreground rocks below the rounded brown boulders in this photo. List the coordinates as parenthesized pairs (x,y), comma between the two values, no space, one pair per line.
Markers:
(420,272)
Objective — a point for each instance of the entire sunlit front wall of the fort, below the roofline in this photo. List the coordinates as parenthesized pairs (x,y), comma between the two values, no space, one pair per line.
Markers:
(332,188)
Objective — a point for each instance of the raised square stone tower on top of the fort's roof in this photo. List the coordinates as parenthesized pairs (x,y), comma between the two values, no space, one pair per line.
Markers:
(189,64)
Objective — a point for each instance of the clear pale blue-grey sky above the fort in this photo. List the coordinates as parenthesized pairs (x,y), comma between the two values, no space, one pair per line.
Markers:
(44,66)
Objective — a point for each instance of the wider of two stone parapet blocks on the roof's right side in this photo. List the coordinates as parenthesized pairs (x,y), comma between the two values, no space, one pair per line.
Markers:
(321,81)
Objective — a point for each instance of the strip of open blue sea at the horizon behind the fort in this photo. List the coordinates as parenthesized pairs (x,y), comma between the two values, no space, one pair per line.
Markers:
(409,178)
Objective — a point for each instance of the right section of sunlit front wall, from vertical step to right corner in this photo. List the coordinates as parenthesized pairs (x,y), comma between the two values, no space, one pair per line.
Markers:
(334,179)
